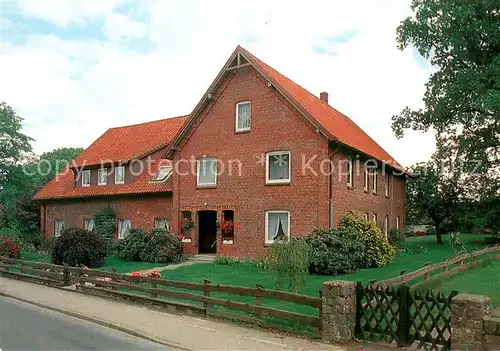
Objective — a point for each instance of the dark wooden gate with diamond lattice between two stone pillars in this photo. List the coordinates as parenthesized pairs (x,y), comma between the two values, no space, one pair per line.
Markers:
(396,314)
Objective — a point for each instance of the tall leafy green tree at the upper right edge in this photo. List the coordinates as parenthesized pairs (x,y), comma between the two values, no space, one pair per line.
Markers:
(461,38)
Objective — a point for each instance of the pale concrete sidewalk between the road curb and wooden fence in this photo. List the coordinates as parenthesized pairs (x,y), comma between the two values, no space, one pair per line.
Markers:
(170,329)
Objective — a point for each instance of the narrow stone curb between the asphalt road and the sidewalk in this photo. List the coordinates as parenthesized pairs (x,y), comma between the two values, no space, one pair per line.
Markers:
(98,321)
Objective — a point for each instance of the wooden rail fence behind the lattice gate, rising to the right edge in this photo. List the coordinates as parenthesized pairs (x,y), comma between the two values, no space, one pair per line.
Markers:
(448,267)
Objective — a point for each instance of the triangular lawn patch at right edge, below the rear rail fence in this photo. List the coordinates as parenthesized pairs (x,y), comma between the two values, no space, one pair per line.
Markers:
(480,280)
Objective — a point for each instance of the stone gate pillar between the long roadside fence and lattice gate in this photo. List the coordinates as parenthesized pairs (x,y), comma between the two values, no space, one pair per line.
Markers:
(339,311)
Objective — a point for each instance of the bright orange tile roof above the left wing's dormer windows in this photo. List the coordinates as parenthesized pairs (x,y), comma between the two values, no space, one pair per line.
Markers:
(130,142)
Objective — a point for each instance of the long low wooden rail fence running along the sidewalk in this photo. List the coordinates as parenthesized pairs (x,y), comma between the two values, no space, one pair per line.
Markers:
(199,296)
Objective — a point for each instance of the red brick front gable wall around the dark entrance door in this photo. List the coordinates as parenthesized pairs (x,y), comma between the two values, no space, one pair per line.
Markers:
(275,125)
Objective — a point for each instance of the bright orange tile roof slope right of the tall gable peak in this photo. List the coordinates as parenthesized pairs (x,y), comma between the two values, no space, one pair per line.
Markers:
(336,125)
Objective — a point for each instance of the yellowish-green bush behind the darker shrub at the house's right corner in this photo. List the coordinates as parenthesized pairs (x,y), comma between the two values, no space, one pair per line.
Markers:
(378,252)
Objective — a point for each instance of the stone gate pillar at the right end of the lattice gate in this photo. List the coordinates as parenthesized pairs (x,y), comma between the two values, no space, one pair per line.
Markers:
(467,312)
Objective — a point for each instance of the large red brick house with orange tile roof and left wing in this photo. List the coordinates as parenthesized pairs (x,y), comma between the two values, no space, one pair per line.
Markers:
(258,151)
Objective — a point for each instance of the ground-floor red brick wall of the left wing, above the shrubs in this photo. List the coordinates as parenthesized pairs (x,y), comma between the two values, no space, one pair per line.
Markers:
(140,210)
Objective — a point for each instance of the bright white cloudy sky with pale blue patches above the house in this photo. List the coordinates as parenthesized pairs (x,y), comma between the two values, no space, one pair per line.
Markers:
(74,68)
